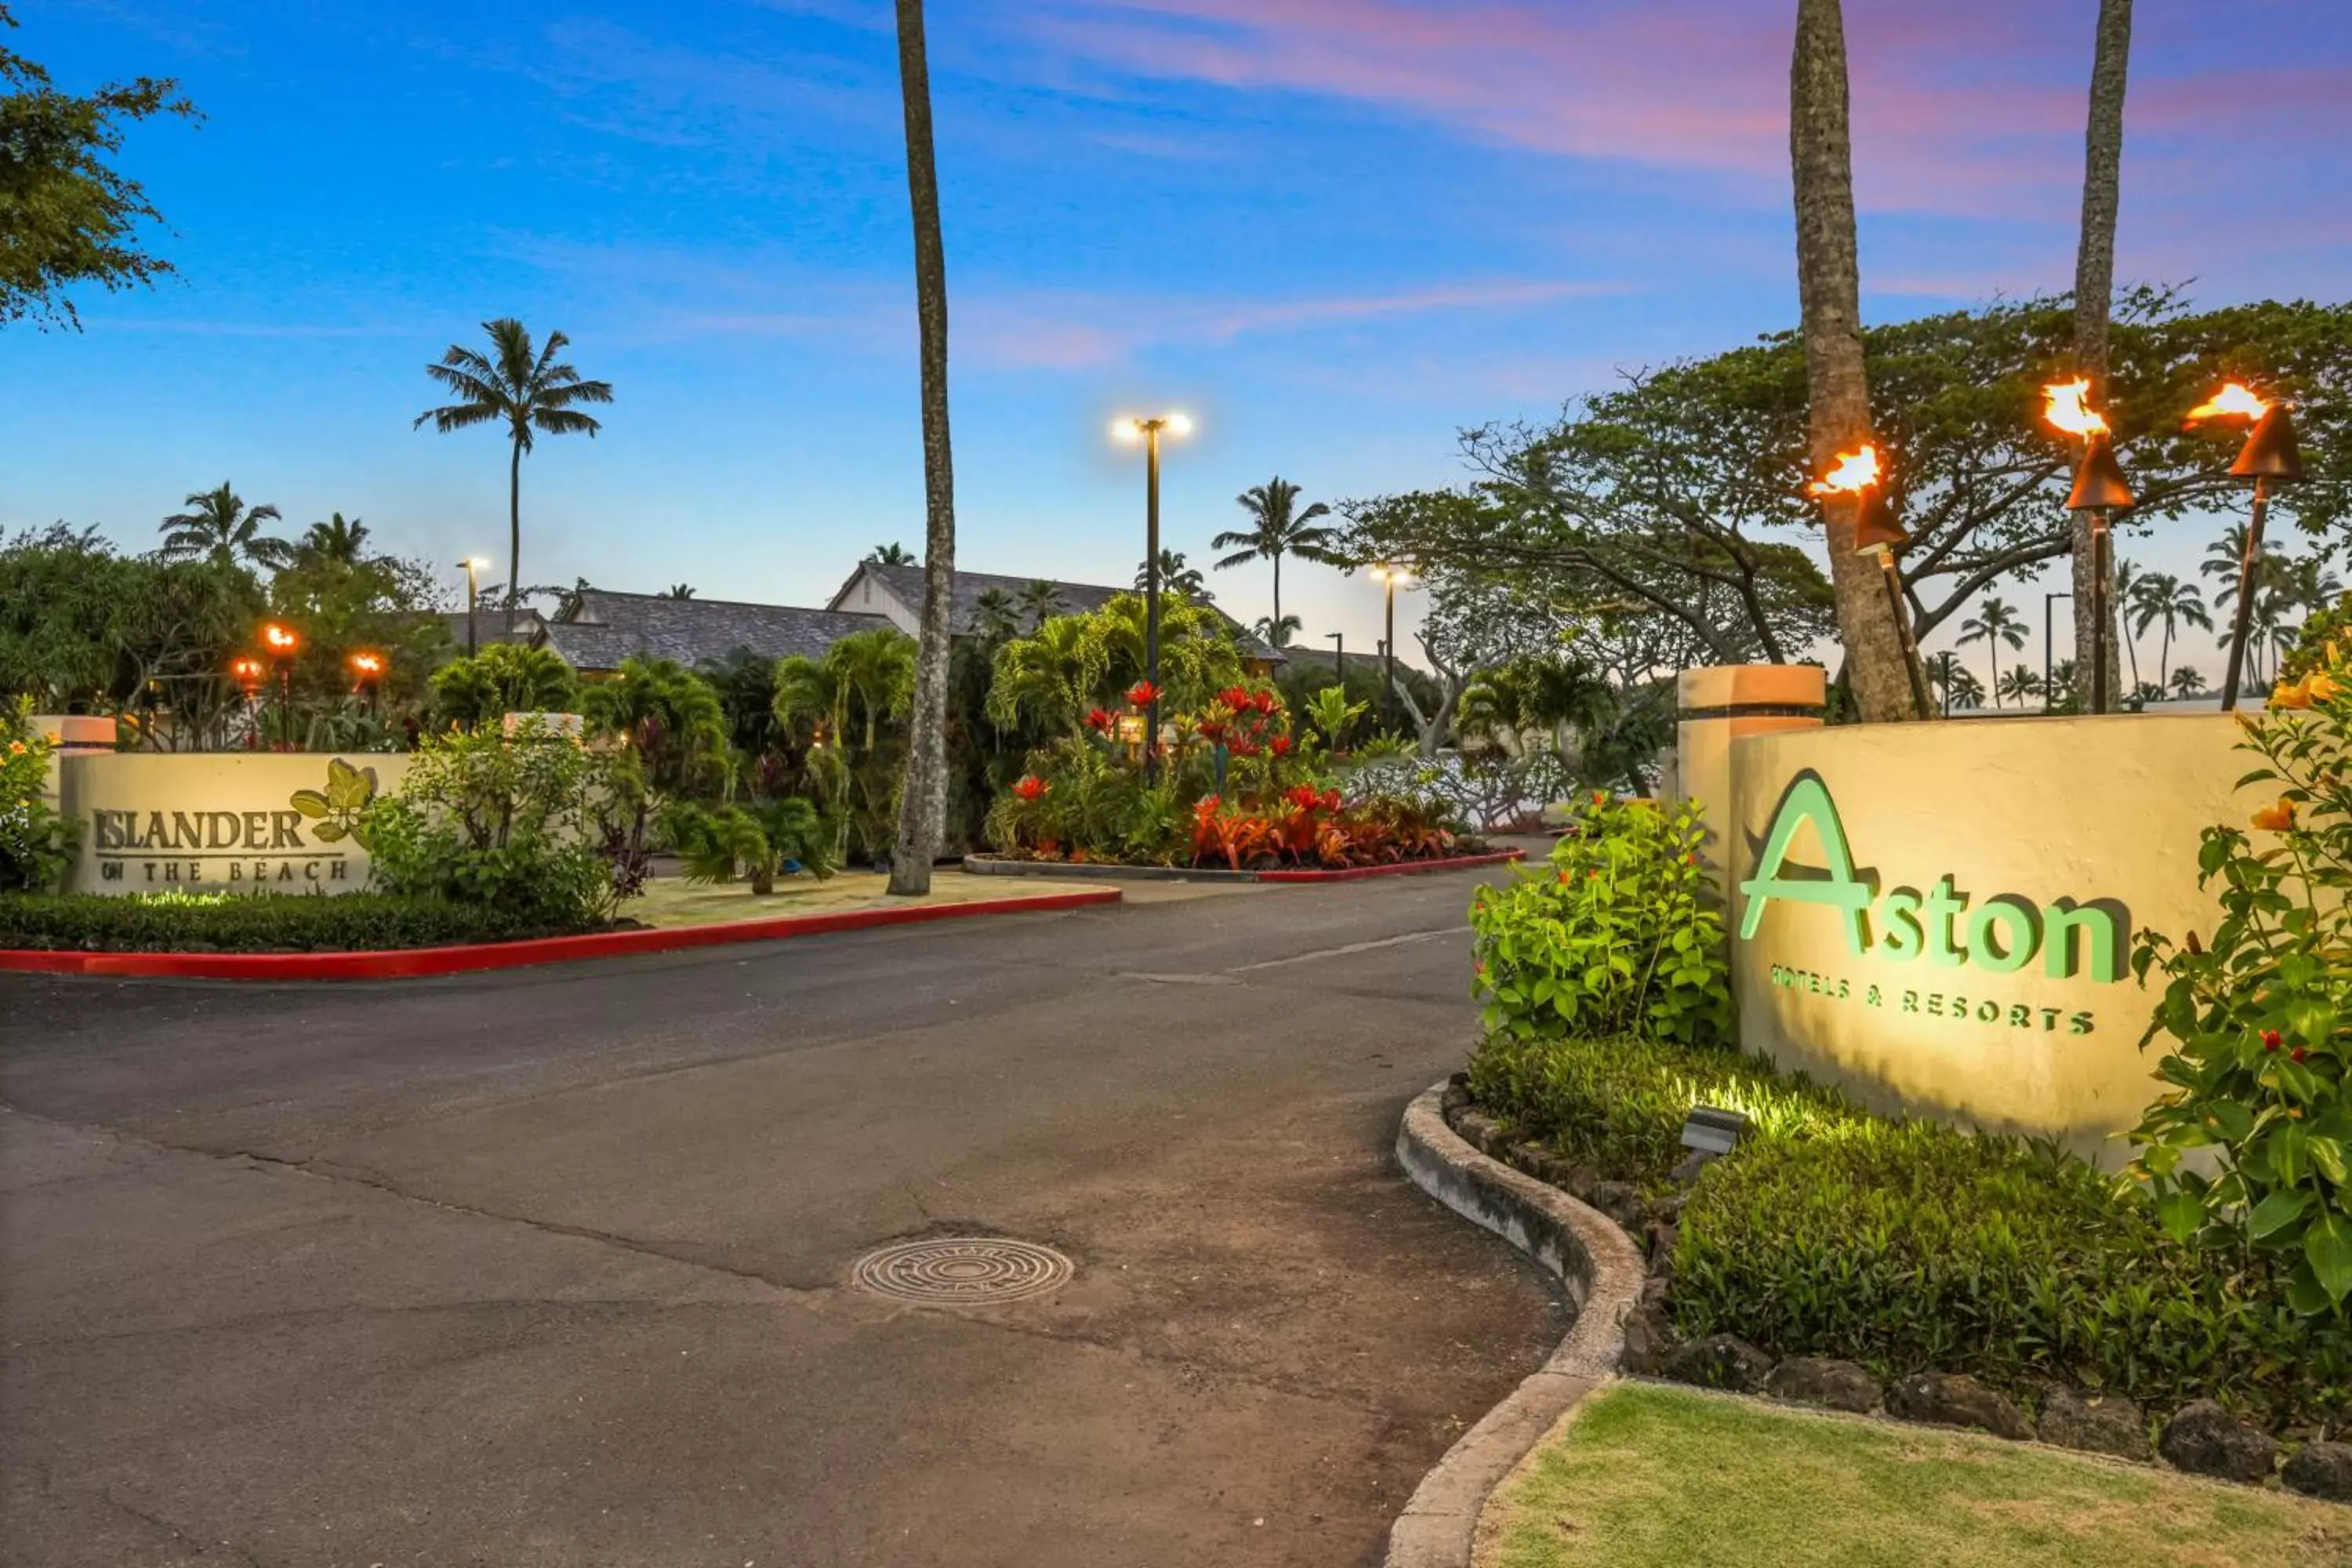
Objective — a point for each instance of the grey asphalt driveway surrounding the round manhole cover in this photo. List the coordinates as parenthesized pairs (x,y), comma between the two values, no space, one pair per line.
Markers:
(554,1266)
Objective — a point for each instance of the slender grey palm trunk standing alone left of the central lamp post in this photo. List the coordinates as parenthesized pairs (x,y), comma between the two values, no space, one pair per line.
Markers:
(923,800)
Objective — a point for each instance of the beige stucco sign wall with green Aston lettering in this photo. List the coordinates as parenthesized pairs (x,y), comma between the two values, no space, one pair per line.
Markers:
(1939,916)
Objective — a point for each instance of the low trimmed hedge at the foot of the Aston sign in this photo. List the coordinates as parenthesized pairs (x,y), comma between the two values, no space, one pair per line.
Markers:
(1916,1247)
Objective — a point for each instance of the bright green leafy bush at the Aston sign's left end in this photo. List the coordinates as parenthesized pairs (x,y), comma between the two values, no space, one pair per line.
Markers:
(1615,934)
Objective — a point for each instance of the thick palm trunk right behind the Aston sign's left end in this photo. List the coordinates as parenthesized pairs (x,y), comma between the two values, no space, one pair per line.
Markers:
(1838,396)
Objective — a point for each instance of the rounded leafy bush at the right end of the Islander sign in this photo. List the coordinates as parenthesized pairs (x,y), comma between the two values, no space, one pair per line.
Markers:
(502,822)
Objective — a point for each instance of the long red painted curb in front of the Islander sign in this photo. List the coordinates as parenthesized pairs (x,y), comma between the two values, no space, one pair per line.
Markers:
(413,963)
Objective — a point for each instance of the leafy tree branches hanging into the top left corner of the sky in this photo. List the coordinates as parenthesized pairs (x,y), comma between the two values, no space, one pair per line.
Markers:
(67,215)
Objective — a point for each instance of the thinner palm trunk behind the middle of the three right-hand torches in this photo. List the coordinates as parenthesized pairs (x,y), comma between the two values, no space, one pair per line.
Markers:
(2094,290)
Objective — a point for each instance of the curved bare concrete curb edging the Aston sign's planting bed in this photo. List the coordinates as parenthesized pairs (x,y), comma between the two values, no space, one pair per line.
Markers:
(1603,1273)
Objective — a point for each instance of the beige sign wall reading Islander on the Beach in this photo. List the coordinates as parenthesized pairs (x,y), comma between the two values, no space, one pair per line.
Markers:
(222,822)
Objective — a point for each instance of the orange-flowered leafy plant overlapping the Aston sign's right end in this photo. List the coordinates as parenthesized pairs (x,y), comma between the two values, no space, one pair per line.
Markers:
(2259,1017)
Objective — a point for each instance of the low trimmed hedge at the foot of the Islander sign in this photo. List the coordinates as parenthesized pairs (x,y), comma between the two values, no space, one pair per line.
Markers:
(255,923)
